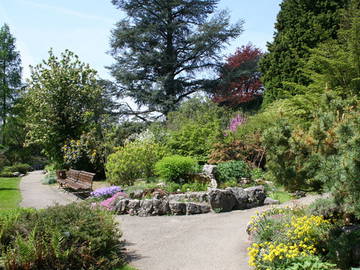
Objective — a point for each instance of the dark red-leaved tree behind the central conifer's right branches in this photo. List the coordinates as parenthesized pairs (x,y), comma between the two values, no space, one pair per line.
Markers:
(239,80)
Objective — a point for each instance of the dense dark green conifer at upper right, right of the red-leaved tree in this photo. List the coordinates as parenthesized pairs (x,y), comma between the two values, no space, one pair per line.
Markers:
(301,25)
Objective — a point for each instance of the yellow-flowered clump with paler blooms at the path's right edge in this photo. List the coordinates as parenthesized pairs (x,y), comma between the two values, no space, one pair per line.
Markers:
(298,238)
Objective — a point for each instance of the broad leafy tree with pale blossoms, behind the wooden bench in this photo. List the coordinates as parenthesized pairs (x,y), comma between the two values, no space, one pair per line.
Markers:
(64,100)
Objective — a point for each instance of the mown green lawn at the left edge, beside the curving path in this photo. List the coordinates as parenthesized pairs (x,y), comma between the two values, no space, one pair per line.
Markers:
(9,192)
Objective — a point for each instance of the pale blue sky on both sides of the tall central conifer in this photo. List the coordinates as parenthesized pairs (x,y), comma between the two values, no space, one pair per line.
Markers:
(83,26)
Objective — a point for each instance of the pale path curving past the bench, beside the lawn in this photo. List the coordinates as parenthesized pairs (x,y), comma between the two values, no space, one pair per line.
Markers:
(36,195)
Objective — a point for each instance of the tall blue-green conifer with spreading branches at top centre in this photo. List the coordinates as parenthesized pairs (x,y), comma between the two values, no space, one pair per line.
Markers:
(162,45)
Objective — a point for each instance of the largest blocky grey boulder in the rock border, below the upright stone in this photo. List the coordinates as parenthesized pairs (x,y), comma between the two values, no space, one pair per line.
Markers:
(222,200)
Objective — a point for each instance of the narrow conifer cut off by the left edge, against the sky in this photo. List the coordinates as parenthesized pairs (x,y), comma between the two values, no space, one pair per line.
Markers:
(10,74)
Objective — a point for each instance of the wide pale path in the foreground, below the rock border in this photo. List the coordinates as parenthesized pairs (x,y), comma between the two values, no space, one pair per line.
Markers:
(200,242)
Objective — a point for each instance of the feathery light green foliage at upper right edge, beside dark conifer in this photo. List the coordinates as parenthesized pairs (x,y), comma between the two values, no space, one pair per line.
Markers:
(335,63)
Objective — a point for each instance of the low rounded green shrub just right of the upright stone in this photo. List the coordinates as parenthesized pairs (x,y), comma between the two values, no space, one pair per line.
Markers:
(232,170)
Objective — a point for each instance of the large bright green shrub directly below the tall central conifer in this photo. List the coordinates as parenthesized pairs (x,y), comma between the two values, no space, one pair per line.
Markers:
(195,127)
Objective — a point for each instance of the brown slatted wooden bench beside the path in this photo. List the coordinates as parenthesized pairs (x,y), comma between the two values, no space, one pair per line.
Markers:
(76,180)
